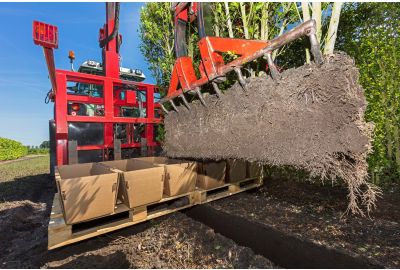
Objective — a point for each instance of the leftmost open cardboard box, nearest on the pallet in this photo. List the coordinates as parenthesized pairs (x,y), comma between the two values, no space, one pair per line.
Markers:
(87,191)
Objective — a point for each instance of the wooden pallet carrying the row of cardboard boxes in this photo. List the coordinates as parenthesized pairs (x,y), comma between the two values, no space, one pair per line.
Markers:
(62,234)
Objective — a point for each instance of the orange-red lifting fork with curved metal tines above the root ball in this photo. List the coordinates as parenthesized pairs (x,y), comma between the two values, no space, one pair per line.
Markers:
(212,67)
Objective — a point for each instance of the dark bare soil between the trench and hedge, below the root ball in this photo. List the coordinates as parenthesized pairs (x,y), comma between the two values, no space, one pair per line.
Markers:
(316,212)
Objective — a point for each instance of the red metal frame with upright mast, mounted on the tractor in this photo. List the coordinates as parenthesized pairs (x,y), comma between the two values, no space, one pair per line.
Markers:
(47,36)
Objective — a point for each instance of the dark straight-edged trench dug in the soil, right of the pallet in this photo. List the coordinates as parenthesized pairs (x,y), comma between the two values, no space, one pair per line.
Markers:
(285,250)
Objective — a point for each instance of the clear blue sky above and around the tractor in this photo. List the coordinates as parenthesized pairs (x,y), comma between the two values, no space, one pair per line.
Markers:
(23,73)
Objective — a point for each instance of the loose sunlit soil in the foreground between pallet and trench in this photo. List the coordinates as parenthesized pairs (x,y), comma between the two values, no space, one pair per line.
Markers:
(175,241)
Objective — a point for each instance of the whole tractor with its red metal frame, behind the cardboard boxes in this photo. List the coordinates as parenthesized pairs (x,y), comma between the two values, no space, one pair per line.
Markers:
(102,111)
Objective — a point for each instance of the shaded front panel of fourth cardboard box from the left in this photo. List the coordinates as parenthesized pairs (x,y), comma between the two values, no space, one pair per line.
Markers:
(211,174)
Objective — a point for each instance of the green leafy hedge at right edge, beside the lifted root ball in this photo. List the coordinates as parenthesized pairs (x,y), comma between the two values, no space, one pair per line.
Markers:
(370,33)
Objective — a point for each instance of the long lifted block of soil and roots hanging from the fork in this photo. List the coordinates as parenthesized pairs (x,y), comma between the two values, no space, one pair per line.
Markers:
(312,119)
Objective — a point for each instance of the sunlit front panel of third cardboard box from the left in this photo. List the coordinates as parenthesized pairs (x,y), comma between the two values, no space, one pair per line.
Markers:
(180,178)
